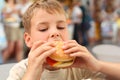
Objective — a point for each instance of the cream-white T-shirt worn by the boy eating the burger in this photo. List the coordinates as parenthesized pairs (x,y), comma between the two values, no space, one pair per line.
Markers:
(17,72)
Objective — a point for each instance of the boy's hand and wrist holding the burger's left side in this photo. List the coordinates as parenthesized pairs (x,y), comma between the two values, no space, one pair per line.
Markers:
(36,58)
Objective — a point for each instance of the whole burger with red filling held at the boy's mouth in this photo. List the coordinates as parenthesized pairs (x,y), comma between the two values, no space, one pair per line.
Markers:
(59,59)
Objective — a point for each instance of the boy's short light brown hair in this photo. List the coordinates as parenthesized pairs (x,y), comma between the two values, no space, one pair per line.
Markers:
(50,6)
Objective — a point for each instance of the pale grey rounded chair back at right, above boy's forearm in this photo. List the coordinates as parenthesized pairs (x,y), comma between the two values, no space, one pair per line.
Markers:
(107,52)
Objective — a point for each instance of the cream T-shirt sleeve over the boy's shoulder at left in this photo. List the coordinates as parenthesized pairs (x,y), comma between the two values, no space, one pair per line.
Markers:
(18,70)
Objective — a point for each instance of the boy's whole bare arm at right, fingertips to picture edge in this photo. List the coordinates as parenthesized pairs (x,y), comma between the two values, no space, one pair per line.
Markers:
(84,59)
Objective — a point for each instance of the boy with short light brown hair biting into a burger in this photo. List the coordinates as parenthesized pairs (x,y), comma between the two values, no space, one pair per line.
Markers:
(45,22)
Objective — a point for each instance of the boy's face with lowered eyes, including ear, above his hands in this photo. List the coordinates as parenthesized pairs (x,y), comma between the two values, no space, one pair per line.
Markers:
(47,27)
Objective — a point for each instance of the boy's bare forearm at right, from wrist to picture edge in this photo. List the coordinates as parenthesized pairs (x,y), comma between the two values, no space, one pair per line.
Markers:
(111,69)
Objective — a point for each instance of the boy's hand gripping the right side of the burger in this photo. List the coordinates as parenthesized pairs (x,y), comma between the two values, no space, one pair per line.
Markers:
(83,59)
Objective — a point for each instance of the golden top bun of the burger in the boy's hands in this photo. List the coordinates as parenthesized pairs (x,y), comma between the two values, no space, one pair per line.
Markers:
(59,55)
